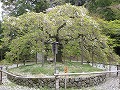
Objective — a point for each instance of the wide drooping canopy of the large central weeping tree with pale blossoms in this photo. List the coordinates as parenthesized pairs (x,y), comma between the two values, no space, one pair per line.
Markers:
(69,25)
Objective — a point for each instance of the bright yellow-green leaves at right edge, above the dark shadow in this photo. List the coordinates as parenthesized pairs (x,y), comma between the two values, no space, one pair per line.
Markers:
(112,29)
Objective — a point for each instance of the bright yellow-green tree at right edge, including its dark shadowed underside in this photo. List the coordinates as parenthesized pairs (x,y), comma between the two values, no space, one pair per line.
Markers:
(112,30)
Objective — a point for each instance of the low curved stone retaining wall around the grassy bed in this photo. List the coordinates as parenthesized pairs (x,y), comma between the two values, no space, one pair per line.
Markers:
(76,82)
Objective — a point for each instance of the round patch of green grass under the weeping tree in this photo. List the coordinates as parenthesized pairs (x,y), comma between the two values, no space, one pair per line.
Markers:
(48,69)
